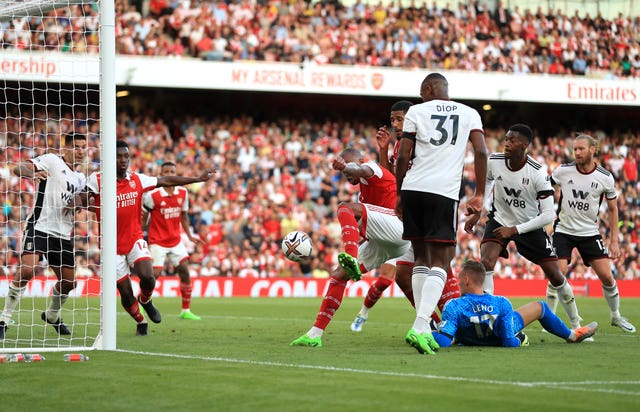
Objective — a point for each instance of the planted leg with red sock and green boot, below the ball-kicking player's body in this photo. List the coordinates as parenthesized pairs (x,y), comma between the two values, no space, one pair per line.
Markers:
(330,304)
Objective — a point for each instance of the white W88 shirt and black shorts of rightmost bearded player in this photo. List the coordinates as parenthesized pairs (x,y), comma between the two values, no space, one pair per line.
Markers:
(581,195)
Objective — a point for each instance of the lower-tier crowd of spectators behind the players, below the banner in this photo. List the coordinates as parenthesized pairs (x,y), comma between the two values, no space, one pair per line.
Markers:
(273,177)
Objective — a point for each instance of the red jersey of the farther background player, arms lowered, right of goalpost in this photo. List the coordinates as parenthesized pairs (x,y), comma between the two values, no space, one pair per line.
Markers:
(165,215)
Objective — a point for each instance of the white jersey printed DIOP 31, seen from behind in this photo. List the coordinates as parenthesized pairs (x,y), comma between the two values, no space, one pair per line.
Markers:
(442,129)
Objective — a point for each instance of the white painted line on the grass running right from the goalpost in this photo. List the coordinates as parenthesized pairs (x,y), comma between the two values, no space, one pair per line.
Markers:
(550,385)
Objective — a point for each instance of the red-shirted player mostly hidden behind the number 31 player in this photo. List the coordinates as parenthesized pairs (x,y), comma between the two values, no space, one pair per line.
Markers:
(397,269)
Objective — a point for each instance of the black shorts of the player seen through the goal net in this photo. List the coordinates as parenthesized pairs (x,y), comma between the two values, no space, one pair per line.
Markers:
(59,252)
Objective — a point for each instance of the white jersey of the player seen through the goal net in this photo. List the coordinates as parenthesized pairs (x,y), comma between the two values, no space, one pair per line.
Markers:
(53,194)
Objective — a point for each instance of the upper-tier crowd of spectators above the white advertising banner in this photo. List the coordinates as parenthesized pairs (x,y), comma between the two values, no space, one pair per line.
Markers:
(396,34)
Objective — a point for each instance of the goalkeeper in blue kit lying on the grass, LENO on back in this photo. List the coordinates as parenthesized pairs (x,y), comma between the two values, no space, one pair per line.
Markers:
(481,319)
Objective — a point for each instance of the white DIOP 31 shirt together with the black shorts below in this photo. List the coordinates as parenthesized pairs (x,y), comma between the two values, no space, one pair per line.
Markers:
(431,187)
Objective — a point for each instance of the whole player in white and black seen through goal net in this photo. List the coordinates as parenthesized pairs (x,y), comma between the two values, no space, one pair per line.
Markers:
(47,233)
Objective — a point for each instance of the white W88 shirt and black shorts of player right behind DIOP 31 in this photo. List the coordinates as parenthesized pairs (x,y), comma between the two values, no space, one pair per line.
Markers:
(515,200)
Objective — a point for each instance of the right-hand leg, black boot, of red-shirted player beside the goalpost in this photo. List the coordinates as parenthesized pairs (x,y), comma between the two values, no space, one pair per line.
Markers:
(143,267)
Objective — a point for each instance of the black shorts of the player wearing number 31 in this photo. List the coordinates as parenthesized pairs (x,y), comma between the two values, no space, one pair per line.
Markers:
(429,217)
